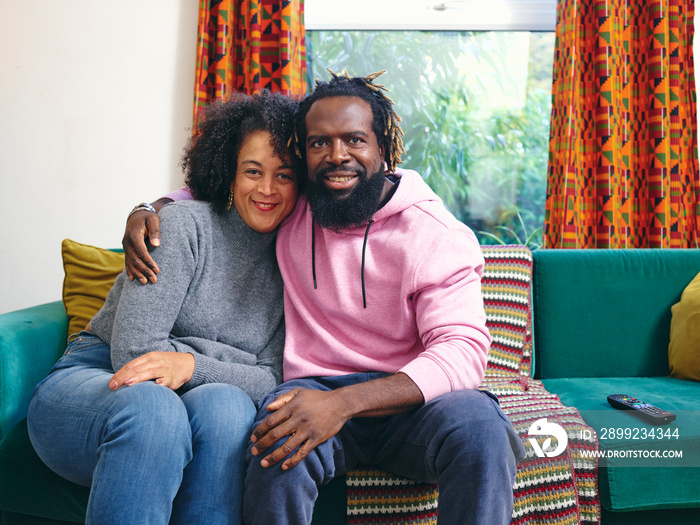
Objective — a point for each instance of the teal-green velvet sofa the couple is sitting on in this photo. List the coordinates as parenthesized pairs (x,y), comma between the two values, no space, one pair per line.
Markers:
(600,322)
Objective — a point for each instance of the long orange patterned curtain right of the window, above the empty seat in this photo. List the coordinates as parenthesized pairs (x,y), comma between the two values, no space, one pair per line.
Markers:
(623,168)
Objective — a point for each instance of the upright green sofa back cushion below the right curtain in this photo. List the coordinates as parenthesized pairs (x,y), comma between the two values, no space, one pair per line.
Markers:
(602,313)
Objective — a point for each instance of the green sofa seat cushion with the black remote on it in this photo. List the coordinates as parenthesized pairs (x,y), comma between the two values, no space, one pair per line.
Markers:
(629,478)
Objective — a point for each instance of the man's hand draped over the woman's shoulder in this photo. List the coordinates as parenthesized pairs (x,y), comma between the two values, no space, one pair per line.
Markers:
(142,224)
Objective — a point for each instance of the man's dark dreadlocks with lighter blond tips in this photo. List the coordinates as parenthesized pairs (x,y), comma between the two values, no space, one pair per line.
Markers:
(385,122)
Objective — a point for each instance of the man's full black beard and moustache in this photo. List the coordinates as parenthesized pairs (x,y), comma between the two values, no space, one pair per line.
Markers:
(339,213)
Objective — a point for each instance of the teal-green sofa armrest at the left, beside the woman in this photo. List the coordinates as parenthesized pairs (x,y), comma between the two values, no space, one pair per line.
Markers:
(31,341)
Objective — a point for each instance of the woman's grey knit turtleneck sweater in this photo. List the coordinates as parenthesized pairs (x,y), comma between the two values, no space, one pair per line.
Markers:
(218,297)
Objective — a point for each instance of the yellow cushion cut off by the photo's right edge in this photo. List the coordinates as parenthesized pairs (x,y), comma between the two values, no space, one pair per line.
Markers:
(684,348)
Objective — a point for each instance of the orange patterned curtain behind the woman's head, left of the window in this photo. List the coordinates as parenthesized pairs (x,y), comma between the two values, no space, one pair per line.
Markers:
(249,45)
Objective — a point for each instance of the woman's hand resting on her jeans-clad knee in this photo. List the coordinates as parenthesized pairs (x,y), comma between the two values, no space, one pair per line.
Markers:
(171,369)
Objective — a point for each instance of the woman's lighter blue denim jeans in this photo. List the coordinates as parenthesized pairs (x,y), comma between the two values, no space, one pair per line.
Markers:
(149,455)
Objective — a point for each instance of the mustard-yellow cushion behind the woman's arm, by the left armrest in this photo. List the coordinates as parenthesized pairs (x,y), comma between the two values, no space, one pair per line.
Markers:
(90,274)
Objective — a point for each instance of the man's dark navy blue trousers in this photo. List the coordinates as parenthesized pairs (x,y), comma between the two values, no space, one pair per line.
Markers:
(461,441)
